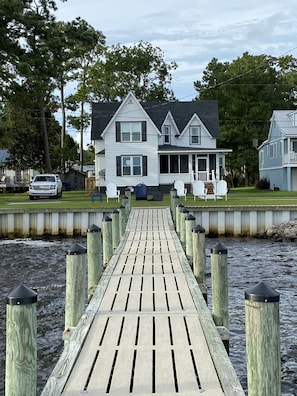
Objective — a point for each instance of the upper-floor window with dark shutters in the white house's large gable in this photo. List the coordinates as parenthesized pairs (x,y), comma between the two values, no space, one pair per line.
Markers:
(127,132)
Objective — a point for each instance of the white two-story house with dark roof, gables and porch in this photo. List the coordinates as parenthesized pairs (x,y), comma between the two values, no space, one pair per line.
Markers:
(156,143)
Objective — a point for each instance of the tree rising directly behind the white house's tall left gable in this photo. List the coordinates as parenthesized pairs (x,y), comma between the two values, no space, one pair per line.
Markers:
(140,68)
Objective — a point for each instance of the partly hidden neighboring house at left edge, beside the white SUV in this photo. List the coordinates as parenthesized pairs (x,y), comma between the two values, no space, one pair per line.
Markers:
(10,179)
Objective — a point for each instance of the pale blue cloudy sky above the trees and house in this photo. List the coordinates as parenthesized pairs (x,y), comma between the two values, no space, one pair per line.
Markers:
(192,32)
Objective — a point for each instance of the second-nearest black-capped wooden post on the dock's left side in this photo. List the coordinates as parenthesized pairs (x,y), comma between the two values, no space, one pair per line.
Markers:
(76,269)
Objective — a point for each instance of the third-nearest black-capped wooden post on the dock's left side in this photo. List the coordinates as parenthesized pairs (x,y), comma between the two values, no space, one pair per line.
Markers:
(94,249)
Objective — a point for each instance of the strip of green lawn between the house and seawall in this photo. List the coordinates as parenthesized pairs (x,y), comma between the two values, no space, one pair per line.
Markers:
(81,200)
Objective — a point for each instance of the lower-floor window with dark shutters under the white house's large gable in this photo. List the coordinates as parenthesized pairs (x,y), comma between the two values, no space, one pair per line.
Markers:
(131,165)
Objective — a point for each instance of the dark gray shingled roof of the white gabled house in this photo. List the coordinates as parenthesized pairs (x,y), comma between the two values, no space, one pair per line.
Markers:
(182,112)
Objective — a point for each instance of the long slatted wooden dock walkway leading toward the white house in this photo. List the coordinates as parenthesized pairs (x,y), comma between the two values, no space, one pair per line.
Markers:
(147,329)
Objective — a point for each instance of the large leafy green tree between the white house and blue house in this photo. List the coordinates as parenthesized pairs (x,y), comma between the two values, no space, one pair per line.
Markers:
(247,90)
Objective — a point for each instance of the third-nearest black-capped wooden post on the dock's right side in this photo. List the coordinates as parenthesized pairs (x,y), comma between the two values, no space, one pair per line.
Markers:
(199,258)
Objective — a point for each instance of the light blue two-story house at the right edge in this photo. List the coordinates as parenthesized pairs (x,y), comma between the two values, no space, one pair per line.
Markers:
(278,154)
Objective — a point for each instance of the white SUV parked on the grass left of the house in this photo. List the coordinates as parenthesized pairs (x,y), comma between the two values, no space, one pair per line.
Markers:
(45,185)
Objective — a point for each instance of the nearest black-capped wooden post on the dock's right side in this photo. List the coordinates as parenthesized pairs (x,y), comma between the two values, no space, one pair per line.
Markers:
(263,341)
